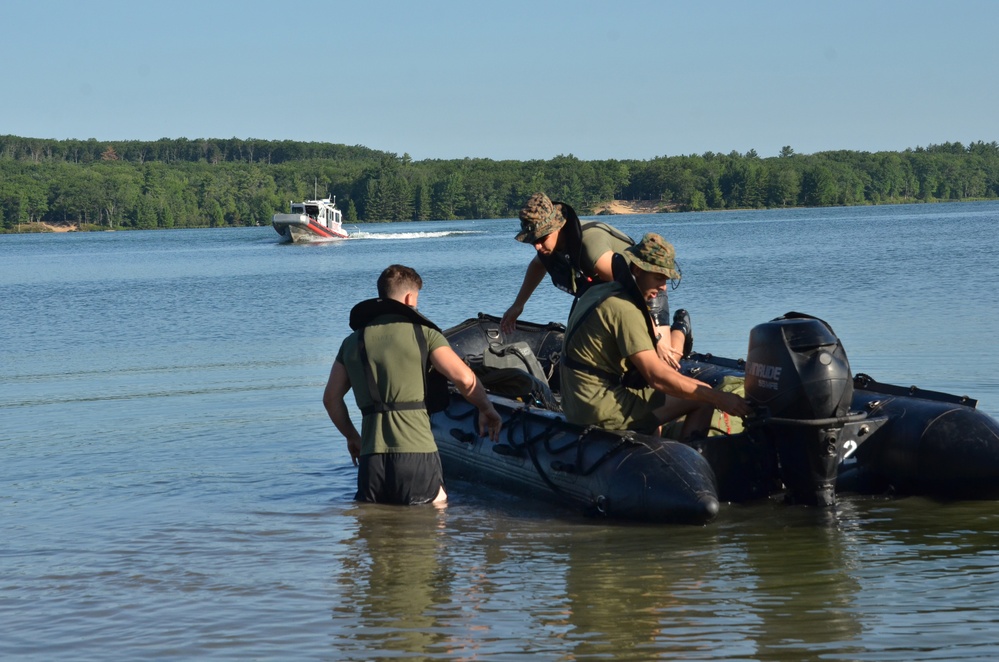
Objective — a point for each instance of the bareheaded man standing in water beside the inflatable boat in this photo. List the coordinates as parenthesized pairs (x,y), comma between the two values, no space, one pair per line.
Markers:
(386,362)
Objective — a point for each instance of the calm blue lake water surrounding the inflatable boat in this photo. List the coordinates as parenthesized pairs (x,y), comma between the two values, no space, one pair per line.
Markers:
(172,488)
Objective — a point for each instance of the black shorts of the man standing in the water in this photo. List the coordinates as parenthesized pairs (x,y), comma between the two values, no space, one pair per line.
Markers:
(400,478)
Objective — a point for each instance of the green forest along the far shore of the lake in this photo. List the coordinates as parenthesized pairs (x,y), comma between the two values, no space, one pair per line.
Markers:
(181,183)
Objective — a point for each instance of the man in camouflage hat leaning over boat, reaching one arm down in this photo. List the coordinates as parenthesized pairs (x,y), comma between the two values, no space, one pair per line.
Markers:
(578,255)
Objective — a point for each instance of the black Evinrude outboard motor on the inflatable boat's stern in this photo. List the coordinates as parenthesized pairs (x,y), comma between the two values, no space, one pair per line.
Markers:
(797,369)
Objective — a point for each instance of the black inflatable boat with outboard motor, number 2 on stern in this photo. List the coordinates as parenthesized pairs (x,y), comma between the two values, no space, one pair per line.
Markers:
(819,430)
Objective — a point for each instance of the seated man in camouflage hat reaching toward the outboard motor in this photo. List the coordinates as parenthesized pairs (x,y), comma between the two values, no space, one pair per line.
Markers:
(609,343)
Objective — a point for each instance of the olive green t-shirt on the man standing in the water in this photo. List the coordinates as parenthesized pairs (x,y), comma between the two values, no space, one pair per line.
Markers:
(394,356)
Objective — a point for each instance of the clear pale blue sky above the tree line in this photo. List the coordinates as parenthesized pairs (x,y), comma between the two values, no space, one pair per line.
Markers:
(517,79)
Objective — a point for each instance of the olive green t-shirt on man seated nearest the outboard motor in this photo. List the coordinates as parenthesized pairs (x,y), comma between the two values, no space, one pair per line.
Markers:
(615,330)
